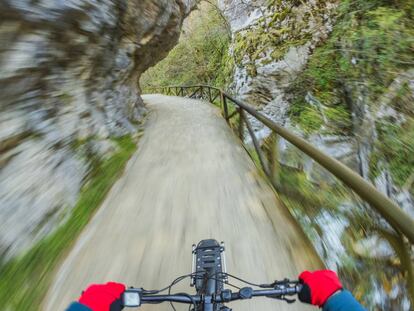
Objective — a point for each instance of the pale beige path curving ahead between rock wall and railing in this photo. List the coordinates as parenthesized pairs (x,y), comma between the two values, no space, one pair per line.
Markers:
(190,180)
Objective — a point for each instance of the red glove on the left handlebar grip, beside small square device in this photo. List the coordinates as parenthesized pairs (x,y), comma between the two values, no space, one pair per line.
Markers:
(103,297)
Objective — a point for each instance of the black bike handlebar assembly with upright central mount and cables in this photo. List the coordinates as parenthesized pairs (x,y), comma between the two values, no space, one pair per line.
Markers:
(209,276)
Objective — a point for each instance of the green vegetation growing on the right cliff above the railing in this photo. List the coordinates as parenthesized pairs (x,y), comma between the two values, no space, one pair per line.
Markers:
(371,47)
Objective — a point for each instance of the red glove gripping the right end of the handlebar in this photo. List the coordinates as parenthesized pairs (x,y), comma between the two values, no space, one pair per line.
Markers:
(318,286)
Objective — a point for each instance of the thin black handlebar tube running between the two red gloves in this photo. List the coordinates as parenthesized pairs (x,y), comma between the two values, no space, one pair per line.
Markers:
(226,296)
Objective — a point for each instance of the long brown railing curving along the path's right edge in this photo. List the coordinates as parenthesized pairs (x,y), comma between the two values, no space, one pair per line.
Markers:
(391,212)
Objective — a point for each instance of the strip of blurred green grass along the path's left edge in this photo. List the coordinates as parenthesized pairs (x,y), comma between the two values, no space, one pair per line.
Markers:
(24,281)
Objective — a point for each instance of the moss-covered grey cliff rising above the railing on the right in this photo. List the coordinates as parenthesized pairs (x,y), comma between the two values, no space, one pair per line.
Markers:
(336,73)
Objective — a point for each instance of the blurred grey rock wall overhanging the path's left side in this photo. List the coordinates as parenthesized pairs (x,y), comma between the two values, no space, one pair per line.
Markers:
(68,81)
